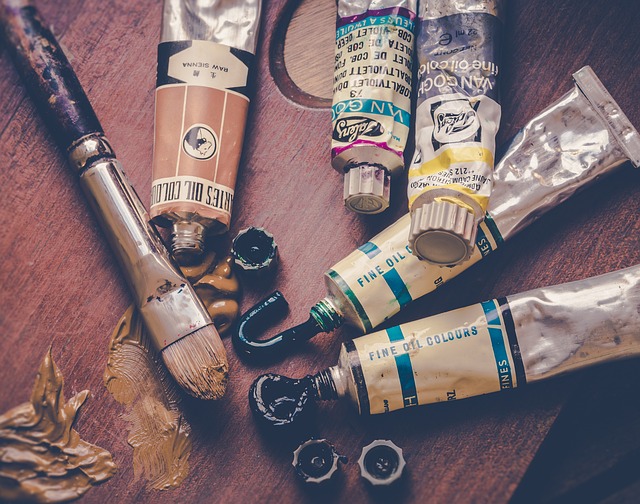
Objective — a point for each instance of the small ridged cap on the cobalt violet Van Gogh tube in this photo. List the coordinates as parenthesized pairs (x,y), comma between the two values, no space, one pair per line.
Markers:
(366,189)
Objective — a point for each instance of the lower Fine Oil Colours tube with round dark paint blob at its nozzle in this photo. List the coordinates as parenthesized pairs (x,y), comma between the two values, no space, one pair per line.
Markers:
(493,346)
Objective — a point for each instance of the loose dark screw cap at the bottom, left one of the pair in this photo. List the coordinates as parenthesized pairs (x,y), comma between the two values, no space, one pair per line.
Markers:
(316,460)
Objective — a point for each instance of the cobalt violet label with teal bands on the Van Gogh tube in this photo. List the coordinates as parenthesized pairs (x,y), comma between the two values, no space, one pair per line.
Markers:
(372,86)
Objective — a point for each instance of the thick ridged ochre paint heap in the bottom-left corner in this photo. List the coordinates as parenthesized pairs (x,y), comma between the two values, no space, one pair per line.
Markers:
(42,458)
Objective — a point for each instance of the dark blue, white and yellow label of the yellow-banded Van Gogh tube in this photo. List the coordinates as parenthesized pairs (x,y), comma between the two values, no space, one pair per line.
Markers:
(457,113)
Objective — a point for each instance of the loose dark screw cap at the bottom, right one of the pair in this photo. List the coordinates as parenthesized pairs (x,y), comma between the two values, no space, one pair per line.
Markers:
(381,462)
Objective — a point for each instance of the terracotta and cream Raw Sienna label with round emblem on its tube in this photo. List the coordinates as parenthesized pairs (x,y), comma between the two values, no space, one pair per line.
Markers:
(201,108)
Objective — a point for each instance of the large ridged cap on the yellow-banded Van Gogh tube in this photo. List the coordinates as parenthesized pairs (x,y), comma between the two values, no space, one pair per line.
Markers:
(442,233)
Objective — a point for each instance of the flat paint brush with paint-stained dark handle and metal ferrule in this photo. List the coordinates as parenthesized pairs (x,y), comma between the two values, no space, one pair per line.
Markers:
(175,317)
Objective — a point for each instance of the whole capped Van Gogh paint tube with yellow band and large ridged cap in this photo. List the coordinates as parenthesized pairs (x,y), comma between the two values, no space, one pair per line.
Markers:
(457,118)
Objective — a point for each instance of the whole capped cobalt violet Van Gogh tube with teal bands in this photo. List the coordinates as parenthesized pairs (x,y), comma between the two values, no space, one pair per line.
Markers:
(371,109)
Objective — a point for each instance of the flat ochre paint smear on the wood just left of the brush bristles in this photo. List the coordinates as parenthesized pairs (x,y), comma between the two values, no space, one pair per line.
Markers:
(158,433)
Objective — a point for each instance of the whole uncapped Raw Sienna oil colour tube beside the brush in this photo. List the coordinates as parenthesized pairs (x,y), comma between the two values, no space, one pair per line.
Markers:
(204,62)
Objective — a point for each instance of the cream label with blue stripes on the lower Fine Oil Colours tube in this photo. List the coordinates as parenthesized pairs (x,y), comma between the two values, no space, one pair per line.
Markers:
(462,353)
